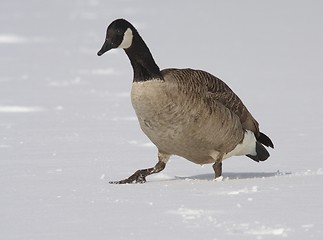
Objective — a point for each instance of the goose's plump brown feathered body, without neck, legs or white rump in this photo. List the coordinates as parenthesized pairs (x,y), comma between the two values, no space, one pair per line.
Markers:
(191,113)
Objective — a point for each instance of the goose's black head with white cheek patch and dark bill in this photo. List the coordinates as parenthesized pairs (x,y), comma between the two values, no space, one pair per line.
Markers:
(119,35)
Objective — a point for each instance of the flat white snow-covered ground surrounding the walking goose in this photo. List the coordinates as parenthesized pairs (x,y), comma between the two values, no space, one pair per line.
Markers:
(67,127)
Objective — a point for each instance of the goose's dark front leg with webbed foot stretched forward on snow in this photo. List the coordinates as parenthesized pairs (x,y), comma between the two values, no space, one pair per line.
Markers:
(140,175)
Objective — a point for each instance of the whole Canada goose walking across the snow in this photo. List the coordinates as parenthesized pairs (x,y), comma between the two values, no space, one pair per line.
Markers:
(185,112)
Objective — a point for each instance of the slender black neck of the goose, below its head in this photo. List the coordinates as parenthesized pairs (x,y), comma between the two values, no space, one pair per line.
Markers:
(143,64)
